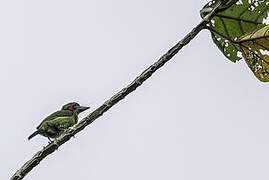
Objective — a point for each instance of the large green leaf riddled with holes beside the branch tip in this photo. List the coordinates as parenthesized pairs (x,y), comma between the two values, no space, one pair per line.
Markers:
(232,21)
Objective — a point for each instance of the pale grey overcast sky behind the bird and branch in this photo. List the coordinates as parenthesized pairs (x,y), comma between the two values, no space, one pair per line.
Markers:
(199,117)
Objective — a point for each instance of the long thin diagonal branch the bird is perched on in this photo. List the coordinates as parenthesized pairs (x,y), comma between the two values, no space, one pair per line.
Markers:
(40,155)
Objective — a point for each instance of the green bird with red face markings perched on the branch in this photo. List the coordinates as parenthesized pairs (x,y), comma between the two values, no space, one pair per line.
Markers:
(55,124)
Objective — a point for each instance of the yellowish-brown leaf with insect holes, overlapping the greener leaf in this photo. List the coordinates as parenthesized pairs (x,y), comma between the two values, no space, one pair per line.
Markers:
(255,49)
